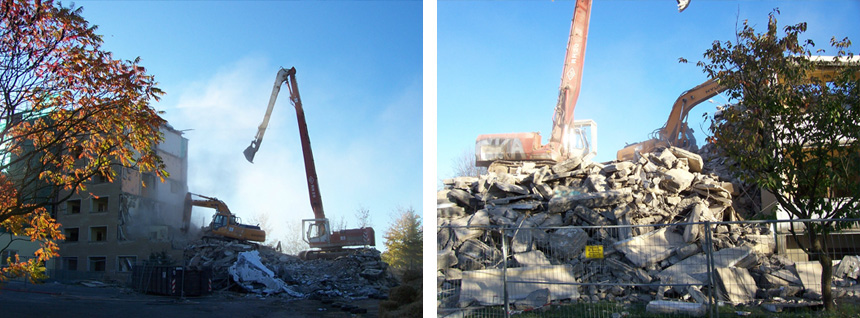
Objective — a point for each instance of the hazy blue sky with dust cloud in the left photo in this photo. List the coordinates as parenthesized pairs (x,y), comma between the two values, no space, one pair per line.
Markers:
(359,71)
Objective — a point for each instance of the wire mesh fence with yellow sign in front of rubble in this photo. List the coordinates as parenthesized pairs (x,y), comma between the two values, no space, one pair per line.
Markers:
(699,269)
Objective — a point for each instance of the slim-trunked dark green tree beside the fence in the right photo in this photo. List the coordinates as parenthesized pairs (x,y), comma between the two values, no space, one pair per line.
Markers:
(795,129)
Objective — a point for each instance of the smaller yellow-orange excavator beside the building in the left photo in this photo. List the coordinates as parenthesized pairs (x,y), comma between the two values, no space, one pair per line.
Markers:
(224,225)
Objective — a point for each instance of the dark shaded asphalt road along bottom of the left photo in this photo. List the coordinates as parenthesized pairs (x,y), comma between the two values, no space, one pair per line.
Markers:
(18,299)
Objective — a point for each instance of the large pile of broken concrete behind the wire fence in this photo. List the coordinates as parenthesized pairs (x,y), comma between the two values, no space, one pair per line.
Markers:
(653,195)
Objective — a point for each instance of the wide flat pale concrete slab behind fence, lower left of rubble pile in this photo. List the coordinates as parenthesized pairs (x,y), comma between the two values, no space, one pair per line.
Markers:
(486,286)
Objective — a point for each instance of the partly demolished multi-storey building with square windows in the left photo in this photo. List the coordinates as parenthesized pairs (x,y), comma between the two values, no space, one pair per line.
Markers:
(114,225)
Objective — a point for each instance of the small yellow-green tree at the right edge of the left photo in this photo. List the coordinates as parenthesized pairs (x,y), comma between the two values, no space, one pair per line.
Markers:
(404,241)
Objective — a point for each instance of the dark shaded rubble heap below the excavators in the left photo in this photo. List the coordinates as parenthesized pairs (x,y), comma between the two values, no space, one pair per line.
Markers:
(264,270)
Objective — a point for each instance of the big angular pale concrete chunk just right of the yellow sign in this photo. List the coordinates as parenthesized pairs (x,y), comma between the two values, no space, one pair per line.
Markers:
(650,248)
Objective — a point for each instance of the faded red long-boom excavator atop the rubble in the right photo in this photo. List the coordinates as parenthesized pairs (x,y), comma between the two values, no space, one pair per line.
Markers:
(569,138)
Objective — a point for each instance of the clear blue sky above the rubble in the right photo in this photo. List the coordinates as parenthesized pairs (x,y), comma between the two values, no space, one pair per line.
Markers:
(499,63)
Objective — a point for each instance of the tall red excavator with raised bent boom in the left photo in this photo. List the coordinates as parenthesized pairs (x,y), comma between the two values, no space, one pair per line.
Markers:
(317,232)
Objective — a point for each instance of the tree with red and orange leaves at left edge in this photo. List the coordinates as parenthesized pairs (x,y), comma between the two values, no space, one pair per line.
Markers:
(69,111)
